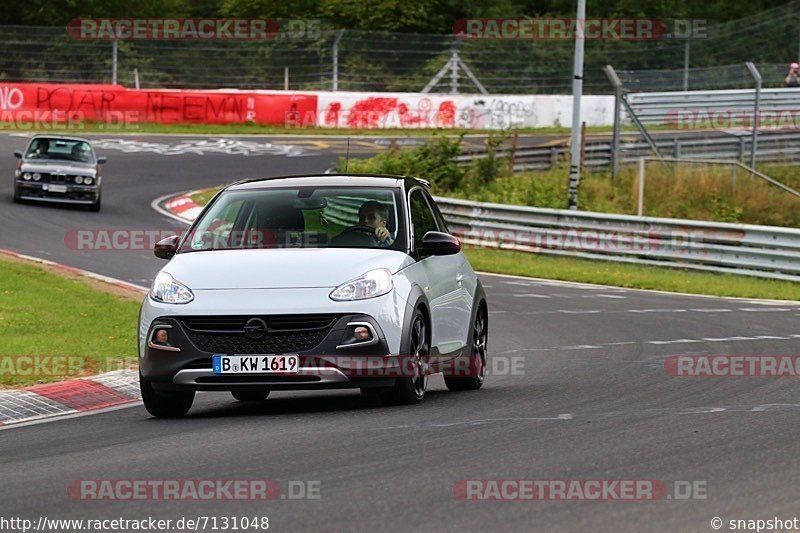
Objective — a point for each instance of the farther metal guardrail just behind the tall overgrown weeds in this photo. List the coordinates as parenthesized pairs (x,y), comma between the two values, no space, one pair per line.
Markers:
(773,147)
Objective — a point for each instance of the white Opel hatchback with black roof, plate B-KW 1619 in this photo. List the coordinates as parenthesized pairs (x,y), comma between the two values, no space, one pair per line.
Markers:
(312,282)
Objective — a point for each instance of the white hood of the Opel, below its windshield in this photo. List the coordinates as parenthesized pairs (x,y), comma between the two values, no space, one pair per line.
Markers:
(280,268)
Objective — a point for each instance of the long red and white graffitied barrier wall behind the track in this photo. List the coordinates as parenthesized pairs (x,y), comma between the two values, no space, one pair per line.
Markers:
(60,103)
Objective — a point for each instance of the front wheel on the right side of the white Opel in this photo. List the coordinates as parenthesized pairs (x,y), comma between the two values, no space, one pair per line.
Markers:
(411,390)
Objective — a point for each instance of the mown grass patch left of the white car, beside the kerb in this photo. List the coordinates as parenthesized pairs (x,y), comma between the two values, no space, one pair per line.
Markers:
(45,314)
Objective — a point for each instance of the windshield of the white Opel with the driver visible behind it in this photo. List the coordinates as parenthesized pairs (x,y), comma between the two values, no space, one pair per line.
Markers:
(301,217)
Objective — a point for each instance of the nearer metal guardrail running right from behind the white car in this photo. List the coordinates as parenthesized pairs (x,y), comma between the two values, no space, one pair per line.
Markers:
(760,251)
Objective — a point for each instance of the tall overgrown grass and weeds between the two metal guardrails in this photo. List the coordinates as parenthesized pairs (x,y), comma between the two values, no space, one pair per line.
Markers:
(691,191)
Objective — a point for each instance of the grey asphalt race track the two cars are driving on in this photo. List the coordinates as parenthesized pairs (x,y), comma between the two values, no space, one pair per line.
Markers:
(588,399)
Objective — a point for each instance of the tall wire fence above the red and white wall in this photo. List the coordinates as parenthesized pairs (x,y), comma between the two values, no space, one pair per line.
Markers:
(379,61)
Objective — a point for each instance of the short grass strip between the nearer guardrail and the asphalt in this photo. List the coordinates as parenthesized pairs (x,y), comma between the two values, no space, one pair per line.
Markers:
(630,276)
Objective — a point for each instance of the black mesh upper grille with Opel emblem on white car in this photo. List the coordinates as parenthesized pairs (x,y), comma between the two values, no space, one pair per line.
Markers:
(285,333)
